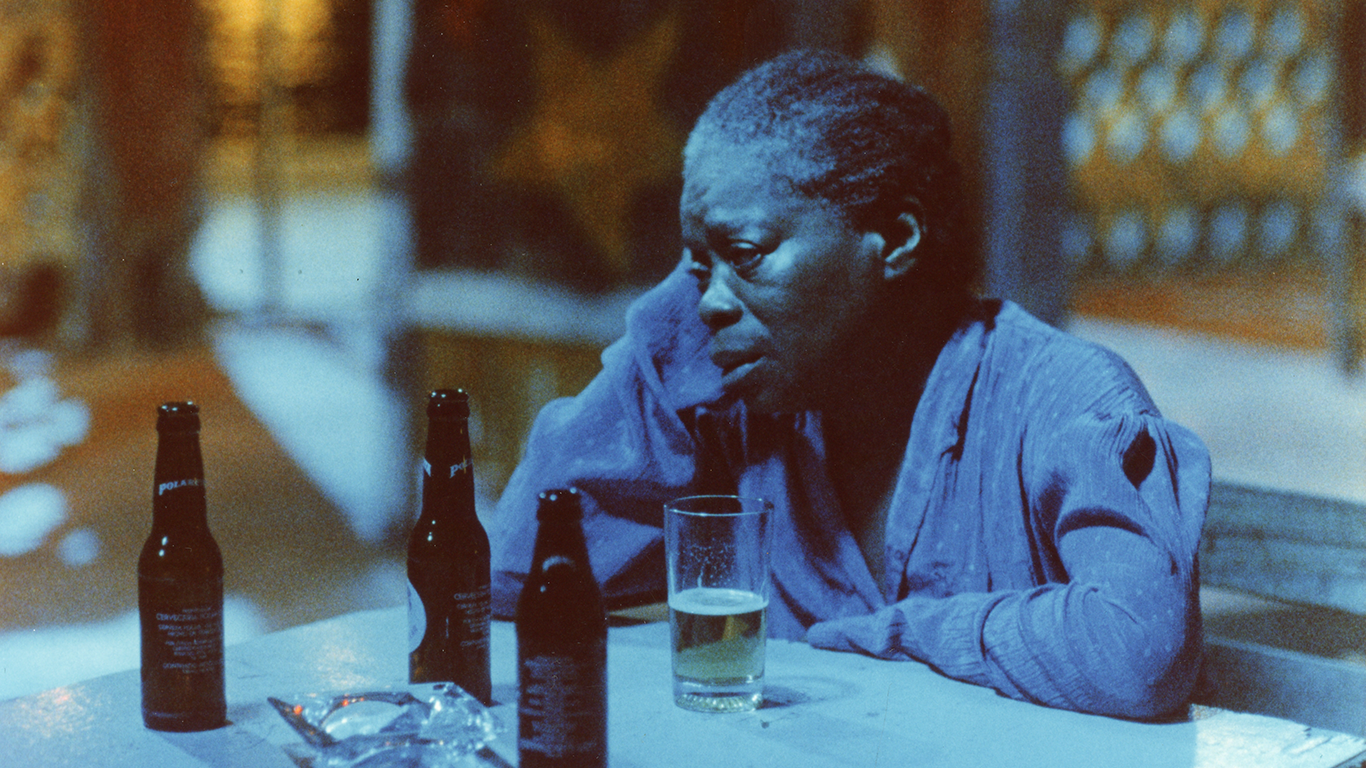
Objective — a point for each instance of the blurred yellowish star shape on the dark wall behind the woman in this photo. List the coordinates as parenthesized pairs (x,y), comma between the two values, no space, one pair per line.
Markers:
(596,133)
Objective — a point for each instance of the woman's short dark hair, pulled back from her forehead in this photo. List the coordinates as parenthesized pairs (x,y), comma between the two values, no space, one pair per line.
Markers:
(861,140)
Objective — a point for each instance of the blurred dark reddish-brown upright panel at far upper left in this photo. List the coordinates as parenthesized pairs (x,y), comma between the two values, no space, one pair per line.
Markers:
(148,120)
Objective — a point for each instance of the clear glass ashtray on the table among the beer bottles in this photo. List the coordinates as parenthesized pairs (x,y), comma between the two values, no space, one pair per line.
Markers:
(430,725)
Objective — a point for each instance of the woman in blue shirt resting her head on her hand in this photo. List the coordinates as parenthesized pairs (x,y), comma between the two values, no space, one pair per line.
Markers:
(961,483)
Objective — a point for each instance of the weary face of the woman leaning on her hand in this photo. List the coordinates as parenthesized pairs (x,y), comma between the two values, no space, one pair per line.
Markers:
(787,288)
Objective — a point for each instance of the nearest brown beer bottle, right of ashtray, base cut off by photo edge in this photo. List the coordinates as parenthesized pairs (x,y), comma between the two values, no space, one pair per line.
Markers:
(561,646)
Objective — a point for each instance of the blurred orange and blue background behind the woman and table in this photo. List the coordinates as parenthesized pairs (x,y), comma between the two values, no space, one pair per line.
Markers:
(307,214)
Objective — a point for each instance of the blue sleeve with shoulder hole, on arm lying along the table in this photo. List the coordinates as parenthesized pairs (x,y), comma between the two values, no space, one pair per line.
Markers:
(1121,502)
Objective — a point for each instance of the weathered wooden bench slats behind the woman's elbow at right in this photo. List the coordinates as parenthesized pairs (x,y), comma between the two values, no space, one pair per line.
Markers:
(1286,607)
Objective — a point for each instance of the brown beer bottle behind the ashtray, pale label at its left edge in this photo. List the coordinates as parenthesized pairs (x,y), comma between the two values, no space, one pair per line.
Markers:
(449,560)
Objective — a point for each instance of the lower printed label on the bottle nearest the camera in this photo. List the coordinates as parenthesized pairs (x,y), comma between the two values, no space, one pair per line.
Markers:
(562,709)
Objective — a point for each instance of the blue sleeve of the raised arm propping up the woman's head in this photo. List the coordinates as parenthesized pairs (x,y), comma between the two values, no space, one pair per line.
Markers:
(624,442)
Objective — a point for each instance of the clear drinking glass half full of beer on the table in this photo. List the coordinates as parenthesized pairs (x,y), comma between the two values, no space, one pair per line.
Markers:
(718,560)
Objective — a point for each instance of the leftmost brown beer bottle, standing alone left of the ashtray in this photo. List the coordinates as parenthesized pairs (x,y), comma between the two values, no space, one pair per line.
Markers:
(181,588)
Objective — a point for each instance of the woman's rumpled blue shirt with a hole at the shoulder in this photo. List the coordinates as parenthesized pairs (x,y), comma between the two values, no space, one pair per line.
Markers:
(1042,539)
